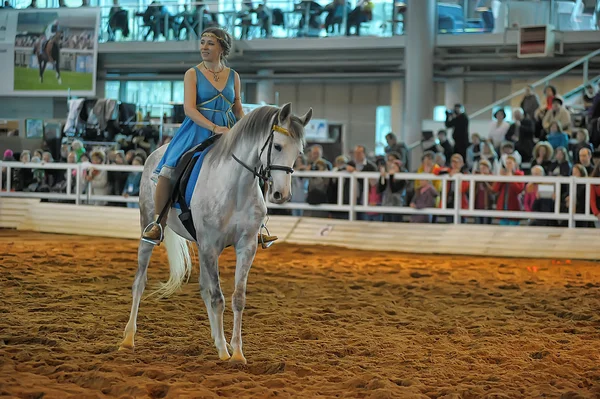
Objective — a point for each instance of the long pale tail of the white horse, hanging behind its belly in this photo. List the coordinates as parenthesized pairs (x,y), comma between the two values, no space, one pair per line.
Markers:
(180,264)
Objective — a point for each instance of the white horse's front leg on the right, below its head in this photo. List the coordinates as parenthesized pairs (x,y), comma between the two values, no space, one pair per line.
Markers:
(245,251)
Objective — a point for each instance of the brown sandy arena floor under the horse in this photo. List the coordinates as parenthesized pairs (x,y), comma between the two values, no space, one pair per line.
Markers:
(319,322)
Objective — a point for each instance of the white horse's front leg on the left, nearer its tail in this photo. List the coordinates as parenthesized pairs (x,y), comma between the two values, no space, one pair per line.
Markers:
(210,290)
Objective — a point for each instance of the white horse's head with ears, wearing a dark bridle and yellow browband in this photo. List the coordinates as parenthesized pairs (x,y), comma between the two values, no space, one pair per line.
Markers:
(287,143)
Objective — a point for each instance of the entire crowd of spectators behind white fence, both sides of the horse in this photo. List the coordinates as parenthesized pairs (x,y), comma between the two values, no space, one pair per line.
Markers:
(543,139)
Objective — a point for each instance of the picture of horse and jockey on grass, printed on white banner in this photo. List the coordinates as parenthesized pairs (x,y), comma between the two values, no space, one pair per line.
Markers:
(55,52)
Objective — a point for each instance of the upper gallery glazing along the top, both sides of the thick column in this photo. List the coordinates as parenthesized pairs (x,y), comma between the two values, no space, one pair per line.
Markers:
(170,21)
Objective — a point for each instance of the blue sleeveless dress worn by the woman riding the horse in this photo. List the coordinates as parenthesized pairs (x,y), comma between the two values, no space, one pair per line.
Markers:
(214,105)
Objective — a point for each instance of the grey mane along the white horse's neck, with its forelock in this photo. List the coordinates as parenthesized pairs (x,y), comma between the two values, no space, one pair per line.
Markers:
(253,128)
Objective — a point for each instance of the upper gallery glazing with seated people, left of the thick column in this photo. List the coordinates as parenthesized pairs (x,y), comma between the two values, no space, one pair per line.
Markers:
(280,19)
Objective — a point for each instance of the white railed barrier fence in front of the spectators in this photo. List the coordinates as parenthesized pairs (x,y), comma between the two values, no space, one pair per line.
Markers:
(83,195)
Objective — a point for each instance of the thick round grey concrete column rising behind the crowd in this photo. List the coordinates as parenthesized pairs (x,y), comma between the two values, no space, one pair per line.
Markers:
(418,58)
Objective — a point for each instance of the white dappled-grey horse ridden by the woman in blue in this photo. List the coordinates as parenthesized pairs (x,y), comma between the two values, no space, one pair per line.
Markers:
(228,208)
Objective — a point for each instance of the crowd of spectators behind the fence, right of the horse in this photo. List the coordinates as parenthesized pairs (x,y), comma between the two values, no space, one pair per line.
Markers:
(544,138)
